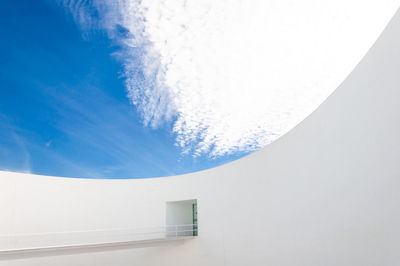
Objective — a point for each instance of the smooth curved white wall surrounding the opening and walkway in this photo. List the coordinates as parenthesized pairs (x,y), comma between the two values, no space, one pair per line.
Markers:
(327,193)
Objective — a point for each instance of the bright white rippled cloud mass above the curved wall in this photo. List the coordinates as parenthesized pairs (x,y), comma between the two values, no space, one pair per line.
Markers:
(237,74)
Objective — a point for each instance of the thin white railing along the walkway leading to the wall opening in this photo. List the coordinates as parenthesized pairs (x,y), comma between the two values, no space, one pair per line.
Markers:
(54,240)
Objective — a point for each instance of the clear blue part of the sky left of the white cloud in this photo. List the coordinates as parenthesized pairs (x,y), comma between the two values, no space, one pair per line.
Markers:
(64,109)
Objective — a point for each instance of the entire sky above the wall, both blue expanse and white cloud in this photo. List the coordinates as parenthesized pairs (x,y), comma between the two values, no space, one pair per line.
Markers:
(146,88)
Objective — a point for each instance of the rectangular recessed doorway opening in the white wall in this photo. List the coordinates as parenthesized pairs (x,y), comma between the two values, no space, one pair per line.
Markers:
(181,218)
